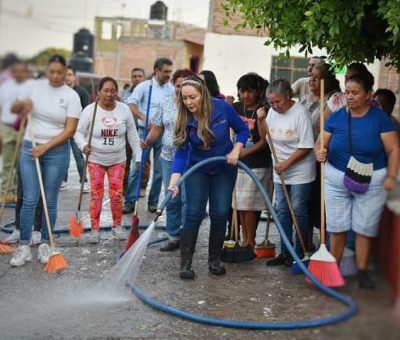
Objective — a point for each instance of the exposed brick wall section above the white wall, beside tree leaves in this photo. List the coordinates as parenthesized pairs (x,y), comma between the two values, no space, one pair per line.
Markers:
(217,18)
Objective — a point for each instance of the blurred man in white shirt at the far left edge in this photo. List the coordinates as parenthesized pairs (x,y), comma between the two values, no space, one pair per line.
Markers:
(10,91)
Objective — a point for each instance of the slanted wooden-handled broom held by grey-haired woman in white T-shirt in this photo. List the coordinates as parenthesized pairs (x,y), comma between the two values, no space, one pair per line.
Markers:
(295,267)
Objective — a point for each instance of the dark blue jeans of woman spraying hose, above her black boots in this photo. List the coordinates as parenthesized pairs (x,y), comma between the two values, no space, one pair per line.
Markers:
(215,188)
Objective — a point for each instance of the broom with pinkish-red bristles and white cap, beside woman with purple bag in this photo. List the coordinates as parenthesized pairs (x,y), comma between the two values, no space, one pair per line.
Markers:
(322,264)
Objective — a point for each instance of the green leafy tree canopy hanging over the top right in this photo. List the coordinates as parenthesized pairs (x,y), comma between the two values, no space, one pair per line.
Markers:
(350,30)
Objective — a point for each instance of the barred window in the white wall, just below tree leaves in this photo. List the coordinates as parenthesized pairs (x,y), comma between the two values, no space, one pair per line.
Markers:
(290,69)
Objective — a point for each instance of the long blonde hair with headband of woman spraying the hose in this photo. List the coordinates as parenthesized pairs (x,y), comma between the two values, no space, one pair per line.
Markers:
(203,131)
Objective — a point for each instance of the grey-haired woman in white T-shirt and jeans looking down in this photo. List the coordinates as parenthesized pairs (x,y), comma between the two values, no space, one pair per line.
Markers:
(292,134)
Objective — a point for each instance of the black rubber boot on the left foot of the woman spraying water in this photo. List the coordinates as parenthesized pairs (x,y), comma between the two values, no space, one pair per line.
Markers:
(188,240)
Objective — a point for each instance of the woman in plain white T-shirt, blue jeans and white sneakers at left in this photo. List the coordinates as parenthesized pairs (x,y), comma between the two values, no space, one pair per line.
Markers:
(54,110)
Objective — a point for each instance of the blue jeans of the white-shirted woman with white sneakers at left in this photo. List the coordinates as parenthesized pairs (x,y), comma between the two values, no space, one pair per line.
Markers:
(54,165)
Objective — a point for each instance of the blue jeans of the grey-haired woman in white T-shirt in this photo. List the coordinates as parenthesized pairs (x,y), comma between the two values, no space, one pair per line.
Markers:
(299,196)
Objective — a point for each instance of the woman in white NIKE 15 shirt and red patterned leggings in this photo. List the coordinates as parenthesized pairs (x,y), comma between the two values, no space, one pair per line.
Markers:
(107,152)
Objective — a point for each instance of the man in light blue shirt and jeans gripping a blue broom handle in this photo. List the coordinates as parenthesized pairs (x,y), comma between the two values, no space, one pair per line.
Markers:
(137,102)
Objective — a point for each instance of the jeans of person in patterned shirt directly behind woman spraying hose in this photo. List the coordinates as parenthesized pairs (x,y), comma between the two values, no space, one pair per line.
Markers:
(174,206)
